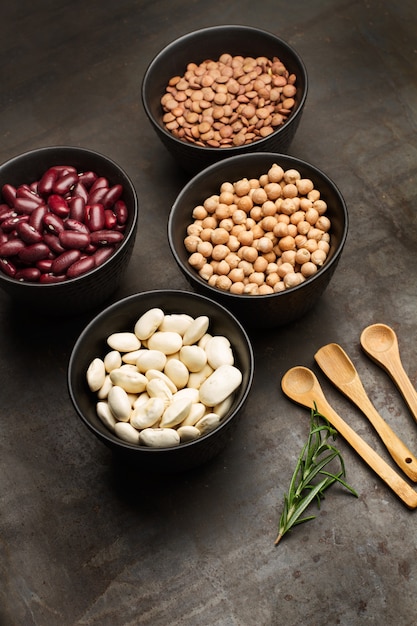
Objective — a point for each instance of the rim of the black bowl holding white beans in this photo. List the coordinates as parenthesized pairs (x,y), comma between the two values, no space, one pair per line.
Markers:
(112,439)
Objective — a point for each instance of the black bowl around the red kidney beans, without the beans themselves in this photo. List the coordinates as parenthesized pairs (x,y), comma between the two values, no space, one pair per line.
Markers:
(89,290)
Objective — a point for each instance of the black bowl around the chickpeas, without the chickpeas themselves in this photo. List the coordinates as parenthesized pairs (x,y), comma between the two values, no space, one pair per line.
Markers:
(259,311)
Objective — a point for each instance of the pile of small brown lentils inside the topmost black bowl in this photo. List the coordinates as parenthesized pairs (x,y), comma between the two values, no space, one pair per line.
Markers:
(230,102)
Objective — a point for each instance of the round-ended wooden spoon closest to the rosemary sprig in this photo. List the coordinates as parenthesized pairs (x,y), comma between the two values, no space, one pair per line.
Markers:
(301,385)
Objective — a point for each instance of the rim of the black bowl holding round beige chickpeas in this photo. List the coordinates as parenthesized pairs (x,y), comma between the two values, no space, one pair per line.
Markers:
(219,165)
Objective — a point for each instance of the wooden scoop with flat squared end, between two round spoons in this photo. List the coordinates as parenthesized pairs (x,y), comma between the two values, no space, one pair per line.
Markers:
(338,367)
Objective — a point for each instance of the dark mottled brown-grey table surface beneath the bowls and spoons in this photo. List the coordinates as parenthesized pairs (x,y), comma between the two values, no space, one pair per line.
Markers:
(85,542)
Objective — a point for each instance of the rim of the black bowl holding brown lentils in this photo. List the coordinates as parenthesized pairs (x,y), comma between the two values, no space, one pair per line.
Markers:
(206,30)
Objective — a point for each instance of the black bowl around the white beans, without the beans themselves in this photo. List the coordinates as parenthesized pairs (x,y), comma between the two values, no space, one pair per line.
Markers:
(122,315)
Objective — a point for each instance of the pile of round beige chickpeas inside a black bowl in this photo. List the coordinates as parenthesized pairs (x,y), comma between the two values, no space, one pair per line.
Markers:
(260,236)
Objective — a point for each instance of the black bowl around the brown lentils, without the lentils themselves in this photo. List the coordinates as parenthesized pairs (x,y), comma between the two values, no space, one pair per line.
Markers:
(211,43)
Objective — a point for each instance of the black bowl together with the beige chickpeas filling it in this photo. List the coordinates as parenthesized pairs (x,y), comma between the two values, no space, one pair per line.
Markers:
(261,233)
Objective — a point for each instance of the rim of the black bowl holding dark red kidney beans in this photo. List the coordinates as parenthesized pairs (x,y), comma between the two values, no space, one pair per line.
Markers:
(29,286)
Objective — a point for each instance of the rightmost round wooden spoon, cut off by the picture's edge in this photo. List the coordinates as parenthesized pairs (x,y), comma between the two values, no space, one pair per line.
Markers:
(381,345)
